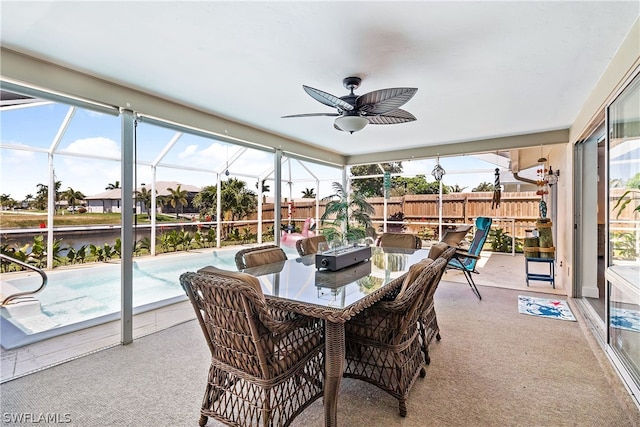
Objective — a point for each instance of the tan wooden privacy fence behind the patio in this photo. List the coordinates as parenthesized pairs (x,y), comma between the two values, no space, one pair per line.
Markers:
(517,212)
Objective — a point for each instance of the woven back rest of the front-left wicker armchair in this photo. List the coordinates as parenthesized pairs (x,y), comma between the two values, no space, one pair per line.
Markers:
(231,312)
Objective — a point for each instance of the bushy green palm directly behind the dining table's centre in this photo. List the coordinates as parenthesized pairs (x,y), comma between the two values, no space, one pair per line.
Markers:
(346,211)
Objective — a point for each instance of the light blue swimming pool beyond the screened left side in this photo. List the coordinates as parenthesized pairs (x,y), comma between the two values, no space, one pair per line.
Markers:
(81,297)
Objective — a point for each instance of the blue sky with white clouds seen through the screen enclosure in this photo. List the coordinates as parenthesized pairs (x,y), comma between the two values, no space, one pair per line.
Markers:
(96,134)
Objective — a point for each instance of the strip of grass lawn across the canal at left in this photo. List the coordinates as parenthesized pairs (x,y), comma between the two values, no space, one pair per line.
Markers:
(32,219)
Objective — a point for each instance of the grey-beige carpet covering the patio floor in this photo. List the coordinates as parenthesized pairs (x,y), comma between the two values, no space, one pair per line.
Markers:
(493,367)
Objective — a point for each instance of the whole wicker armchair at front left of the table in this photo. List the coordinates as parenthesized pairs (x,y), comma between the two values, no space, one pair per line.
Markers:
(266,366)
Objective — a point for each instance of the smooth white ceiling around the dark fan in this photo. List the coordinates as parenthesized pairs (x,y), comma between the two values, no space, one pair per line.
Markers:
(483,69)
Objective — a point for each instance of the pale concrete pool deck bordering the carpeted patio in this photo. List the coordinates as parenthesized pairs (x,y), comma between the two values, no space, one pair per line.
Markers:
(495,270)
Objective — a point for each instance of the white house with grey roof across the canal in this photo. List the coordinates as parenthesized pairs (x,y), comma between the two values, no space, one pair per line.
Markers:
(111,200)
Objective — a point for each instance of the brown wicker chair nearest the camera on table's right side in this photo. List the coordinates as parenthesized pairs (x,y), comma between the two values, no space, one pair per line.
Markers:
(383,341)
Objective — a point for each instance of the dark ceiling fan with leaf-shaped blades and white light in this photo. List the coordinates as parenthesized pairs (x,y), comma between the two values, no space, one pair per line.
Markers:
(380,107)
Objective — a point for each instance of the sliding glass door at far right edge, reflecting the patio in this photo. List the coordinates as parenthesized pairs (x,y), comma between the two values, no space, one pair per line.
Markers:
(623,227)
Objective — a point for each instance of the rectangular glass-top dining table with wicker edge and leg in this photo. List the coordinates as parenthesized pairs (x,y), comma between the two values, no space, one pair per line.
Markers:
(335,297)
